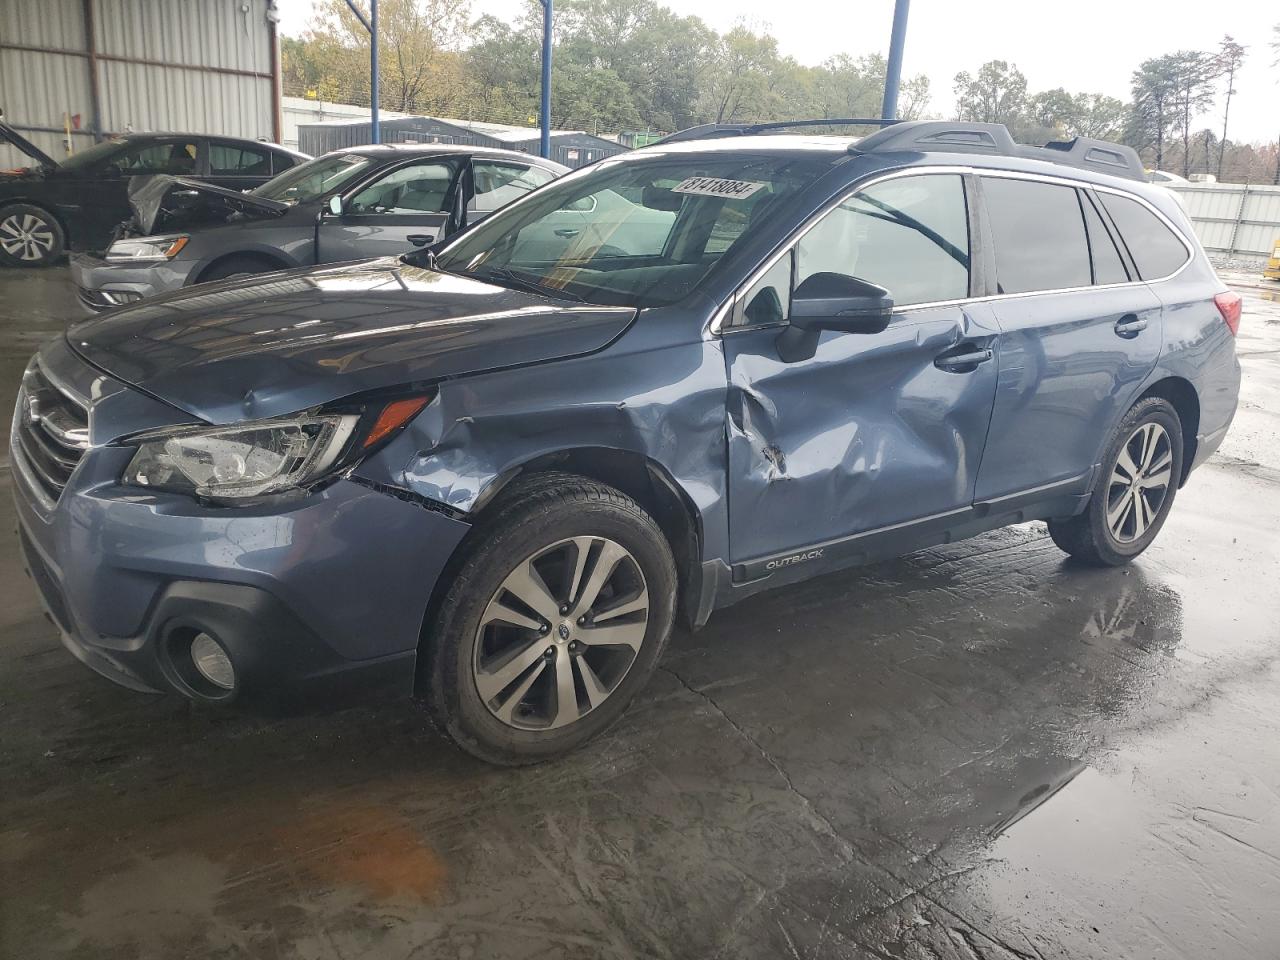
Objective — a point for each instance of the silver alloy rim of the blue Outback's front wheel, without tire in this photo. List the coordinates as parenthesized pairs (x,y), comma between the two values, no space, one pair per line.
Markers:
(561,633)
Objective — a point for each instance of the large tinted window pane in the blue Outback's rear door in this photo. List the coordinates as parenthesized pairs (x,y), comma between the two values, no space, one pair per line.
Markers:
(1039,234)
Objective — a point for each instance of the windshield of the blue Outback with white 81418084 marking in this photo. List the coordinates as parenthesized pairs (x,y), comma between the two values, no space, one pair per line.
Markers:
(637,232)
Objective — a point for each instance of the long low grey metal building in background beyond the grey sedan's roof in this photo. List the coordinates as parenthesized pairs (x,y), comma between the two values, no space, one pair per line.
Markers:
(569,148)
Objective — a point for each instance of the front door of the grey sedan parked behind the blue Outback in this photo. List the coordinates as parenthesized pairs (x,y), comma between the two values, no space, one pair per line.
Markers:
(404,209)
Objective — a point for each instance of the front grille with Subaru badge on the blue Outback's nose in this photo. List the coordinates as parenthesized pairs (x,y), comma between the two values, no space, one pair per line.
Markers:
(52,431)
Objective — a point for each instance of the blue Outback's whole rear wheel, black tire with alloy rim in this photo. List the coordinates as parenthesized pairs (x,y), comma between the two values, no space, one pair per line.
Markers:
(1135,493)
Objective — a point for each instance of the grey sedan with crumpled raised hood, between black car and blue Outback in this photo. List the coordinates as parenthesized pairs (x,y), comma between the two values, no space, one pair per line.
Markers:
(360,203)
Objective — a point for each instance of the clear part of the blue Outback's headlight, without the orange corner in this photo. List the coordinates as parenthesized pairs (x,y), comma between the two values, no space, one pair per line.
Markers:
(243,461)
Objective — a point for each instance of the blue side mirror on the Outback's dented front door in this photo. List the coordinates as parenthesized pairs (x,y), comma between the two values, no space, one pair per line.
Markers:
(831,301)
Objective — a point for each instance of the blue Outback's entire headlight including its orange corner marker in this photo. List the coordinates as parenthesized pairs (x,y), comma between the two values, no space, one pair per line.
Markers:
(267,456)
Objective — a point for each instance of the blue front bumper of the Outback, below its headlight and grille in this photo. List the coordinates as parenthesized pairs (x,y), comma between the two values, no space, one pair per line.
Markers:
(318,601)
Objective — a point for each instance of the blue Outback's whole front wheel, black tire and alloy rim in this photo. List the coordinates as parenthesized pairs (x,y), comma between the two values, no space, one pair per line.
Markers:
(555,620)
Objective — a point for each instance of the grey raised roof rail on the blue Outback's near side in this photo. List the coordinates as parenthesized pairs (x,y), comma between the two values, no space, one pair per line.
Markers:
(995,140)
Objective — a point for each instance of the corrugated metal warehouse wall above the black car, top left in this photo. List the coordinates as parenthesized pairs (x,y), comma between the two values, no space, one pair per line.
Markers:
(72,71)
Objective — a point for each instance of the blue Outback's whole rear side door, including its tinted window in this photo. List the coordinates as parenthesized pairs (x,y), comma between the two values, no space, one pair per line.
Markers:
(1080,332)
